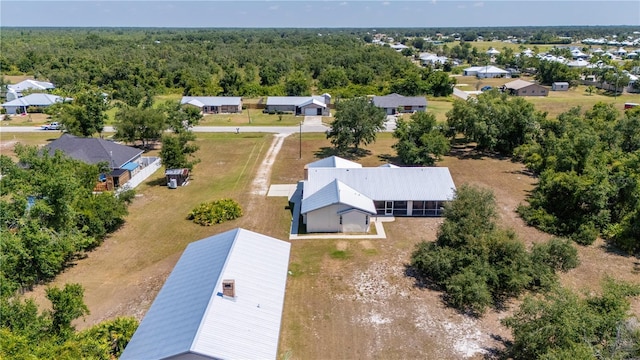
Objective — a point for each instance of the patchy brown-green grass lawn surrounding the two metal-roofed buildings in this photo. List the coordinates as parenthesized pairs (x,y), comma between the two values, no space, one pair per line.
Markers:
(346,299)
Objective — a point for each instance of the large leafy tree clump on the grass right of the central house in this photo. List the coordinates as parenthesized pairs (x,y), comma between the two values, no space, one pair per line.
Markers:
(479,265)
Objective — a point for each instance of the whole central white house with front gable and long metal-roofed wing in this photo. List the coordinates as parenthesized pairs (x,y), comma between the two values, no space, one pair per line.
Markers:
(341,196)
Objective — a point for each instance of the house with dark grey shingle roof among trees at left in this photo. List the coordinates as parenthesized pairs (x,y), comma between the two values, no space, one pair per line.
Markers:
(123,161)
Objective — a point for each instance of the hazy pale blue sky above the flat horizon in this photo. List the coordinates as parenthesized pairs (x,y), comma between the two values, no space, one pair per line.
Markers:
(297,13)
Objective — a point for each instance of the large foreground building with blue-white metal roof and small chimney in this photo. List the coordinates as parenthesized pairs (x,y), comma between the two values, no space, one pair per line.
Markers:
(223,300)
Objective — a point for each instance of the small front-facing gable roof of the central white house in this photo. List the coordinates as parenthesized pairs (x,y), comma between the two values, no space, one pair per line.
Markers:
(337,192)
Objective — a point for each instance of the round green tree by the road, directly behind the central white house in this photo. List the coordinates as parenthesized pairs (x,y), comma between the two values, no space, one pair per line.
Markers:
(357,121)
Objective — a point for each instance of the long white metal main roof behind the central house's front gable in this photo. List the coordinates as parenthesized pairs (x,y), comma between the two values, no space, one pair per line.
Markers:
(386,183)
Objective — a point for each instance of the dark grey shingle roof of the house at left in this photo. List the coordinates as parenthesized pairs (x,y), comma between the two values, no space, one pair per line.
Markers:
(93,150)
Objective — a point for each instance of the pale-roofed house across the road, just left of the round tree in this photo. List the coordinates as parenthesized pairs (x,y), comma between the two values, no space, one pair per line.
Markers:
(299,105)
